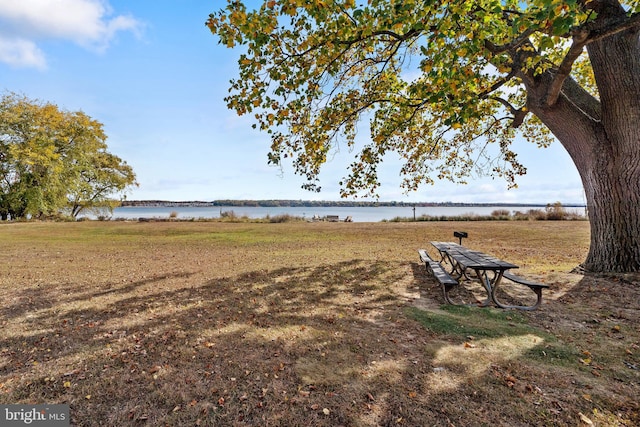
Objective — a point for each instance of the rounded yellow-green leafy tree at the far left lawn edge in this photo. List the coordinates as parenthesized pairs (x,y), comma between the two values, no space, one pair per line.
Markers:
(54,161)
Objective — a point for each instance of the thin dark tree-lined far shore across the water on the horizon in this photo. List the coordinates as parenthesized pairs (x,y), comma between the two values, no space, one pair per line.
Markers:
(323,203)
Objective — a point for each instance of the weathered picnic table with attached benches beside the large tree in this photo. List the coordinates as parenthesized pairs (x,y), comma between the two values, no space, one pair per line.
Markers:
(470,264)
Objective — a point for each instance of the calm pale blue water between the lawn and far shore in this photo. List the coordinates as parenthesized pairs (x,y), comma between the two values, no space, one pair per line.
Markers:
(358,214)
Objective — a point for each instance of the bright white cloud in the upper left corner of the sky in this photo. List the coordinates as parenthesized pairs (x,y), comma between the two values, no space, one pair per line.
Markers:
(88,23)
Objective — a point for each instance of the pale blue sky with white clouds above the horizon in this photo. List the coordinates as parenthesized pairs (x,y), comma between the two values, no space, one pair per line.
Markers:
(155,76)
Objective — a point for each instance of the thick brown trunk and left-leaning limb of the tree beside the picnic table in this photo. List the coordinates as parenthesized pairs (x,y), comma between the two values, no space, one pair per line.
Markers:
(603,139)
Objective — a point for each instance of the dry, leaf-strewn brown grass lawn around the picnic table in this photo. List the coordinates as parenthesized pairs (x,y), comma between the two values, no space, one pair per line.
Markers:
(315,324)
